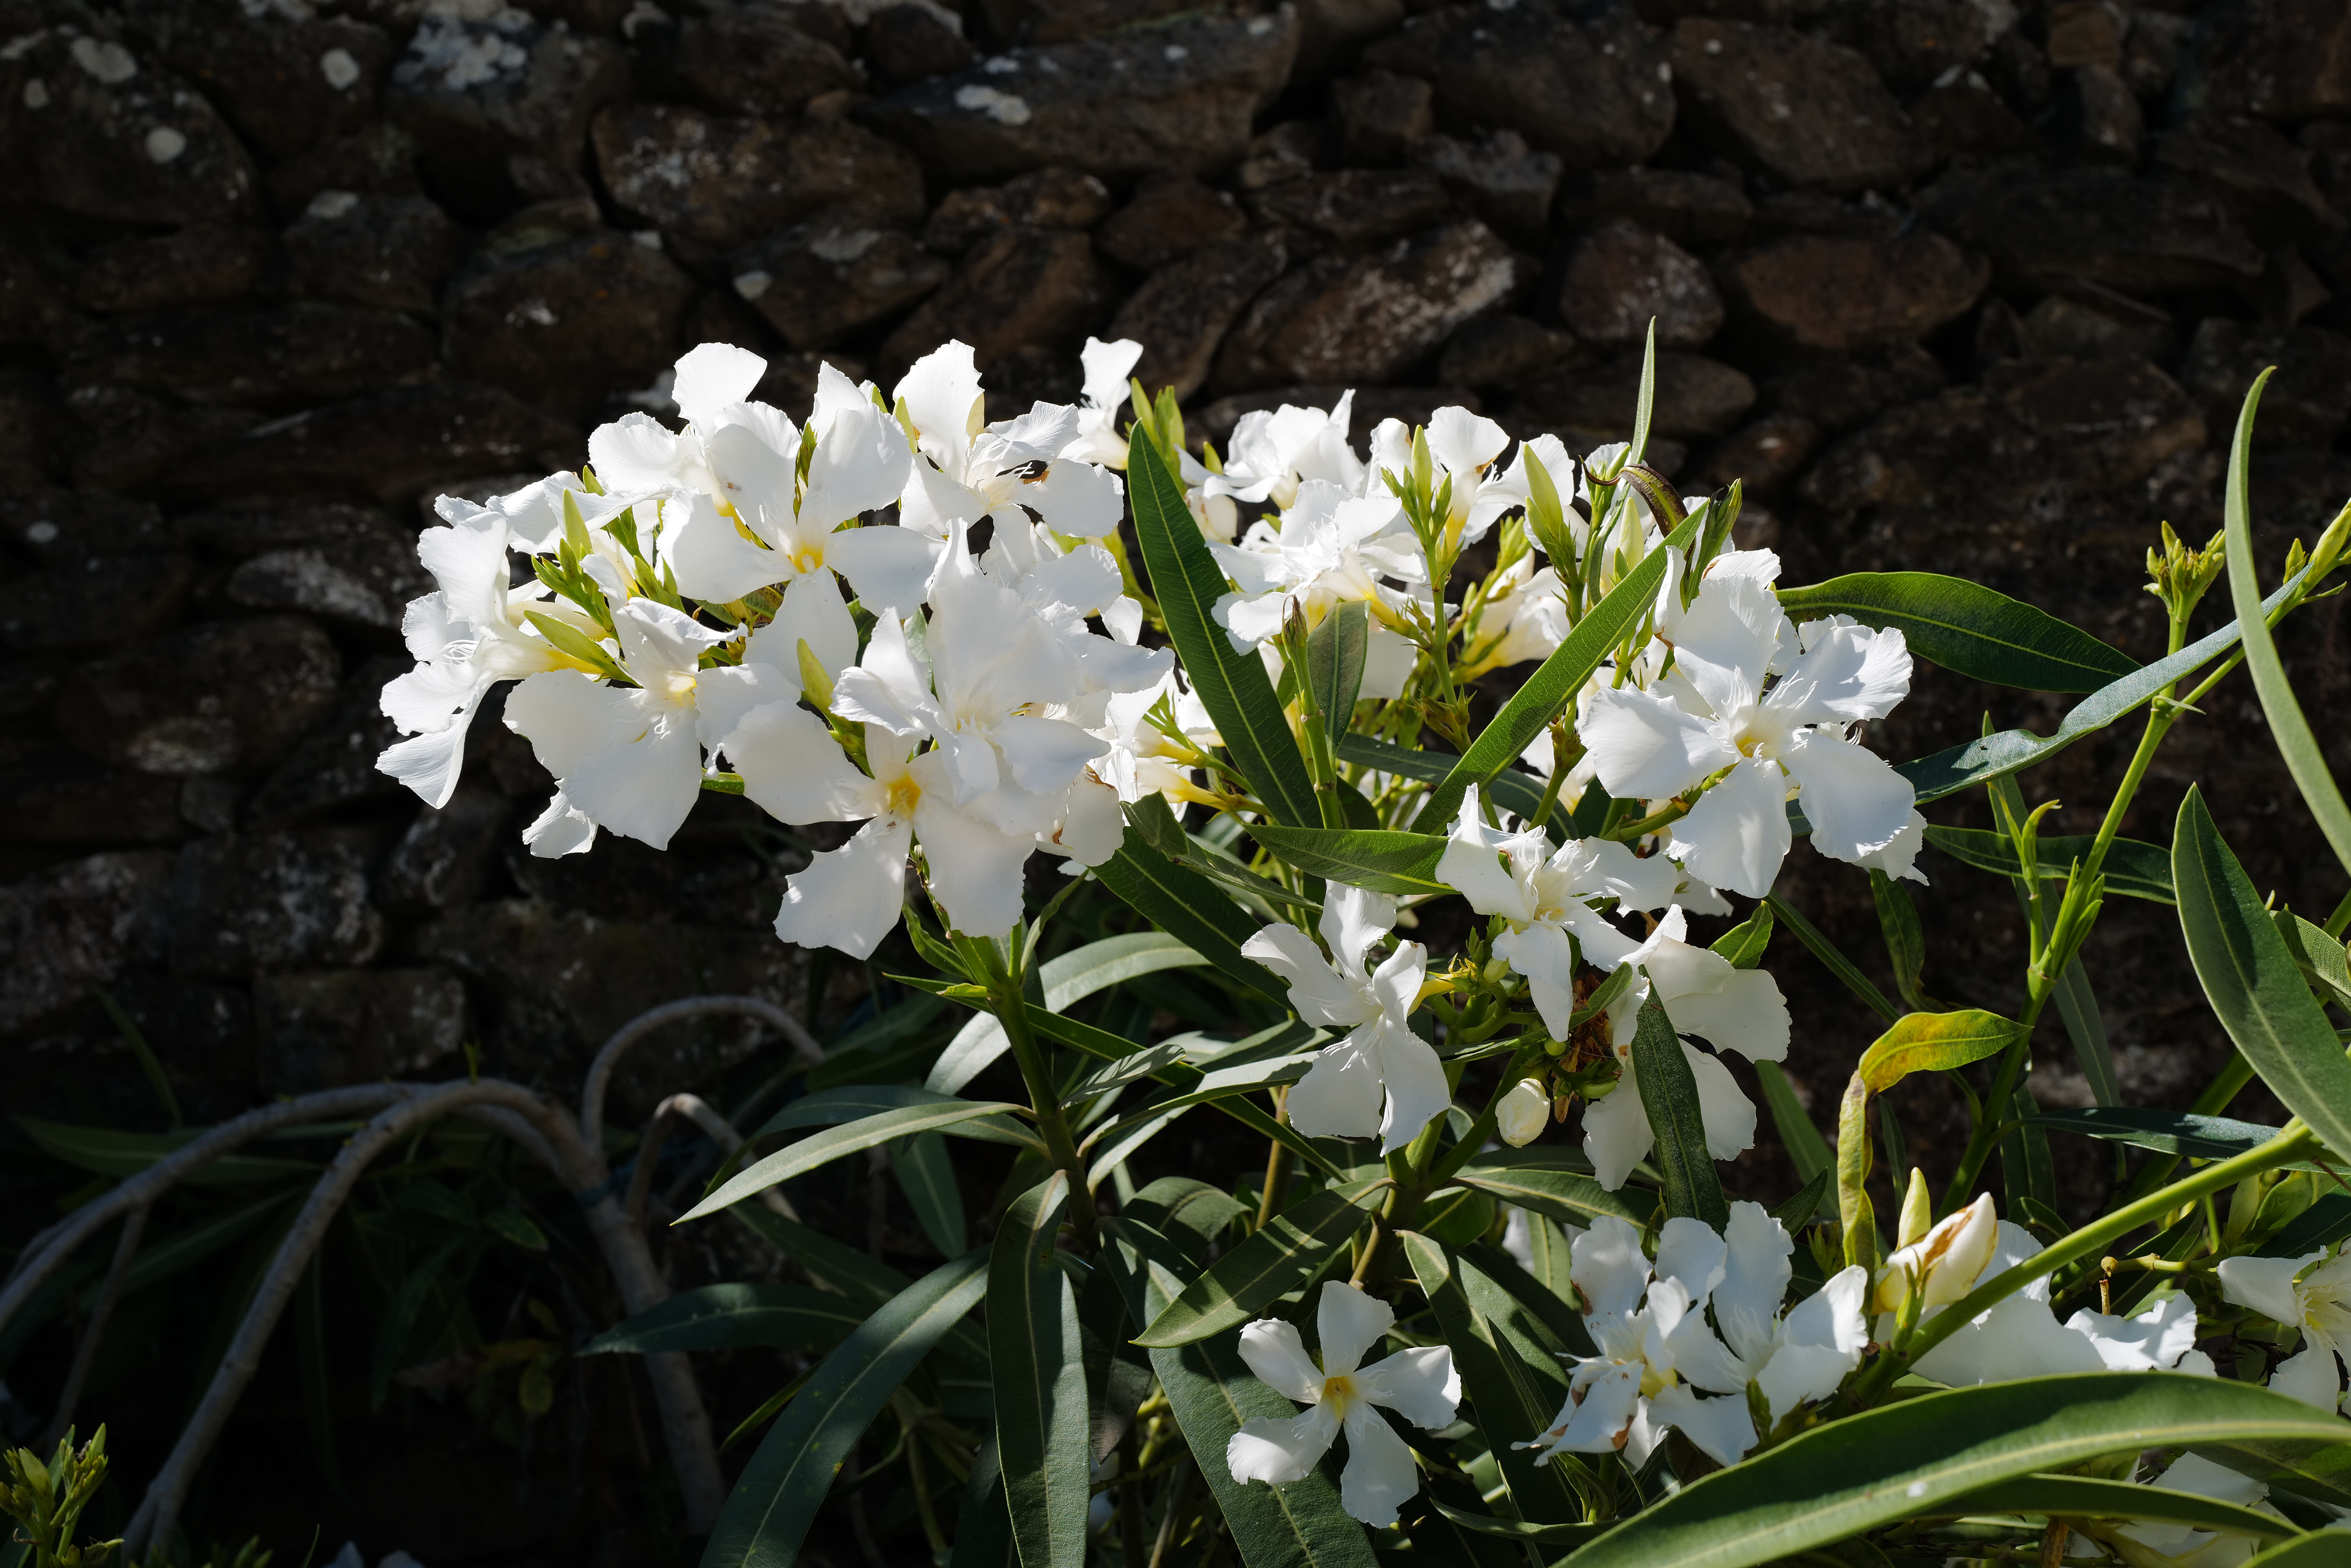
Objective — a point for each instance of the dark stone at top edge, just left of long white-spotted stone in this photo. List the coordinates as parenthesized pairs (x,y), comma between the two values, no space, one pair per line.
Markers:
(739,60)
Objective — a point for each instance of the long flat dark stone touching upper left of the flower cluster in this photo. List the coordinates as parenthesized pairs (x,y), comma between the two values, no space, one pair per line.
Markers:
(384,448)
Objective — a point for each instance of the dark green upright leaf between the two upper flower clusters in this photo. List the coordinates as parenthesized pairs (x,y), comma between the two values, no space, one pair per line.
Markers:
(1231,685)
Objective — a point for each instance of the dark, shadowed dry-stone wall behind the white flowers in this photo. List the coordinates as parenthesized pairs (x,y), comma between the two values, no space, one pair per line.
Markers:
(1950,283)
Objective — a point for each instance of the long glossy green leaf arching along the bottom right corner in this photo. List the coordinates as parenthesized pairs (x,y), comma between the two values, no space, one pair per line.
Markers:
(1917,1456)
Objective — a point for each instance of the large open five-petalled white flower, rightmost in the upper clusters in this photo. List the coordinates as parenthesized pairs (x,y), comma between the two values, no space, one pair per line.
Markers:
(1715,716)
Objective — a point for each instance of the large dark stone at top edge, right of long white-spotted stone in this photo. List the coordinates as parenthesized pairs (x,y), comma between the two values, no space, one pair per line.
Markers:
(1598,93)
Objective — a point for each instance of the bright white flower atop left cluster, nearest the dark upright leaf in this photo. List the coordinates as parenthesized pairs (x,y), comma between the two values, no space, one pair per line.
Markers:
(967,469)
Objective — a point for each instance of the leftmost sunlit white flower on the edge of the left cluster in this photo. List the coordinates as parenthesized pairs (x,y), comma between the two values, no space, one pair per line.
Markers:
(467,638)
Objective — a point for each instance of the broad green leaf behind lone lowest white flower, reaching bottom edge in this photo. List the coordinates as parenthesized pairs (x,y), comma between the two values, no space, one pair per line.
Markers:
(1214,1395)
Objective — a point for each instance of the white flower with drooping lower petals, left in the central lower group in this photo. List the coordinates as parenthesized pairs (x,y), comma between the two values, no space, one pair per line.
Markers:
(1381,1078)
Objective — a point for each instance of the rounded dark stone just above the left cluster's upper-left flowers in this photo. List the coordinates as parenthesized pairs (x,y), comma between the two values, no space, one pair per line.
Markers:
(570,323)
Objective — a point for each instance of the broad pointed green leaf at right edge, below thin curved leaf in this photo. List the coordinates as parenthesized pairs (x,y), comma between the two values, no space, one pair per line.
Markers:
(2253,984)
